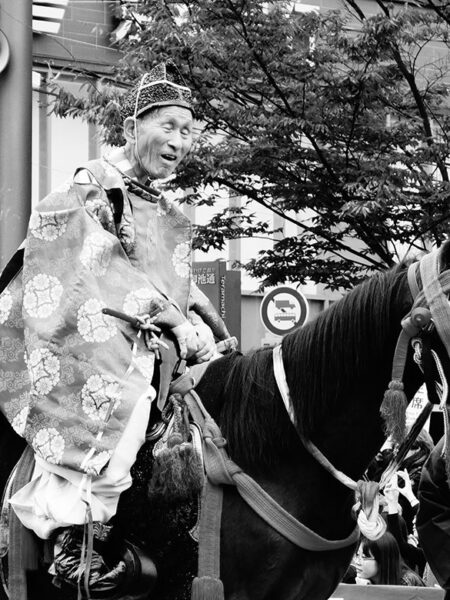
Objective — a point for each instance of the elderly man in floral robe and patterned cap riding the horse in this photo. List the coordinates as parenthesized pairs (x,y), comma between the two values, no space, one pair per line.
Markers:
(78,380)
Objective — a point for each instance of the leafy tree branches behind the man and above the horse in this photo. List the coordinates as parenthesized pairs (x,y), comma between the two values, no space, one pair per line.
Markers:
(337,122)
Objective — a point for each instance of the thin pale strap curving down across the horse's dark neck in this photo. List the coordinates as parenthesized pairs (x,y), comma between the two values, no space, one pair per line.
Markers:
(280,378)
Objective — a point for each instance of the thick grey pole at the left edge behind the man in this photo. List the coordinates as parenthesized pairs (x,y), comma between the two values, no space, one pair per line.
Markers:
(15,126)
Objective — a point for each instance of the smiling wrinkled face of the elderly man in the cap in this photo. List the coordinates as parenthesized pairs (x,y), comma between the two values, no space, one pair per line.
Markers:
(163,140)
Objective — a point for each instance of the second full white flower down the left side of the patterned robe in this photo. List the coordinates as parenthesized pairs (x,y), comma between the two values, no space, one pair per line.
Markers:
(42,295)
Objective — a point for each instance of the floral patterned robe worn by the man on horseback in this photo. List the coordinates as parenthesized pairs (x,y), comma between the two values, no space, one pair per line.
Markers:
(69,374)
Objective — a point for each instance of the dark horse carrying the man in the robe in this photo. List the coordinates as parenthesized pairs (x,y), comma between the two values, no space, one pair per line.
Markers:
(338,368)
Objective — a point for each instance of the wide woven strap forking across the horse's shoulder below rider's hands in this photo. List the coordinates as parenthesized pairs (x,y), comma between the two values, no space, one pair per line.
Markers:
(221,470)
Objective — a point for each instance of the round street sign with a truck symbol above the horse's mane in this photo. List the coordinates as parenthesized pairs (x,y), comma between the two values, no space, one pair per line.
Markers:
(283,310)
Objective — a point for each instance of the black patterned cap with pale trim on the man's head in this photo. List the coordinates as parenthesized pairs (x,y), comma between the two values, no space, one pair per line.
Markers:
(162,86)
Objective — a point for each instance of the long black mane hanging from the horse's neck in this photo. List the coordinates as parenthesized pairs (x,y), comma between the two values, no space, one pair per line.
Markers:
(321,360)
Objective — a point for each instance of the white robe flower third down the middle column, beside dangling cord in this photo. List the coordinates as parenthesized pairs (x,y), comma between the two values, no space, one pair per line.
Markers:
(97,395)
